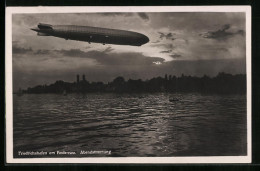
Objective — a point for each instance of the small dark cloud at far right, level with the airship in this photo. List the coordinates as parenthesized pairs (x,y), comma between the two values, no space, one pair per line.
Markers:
(221,34)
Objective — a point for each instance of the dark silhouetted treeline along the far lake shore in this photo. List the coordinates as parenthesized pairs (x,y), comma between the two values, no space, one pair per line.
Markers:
(223,83)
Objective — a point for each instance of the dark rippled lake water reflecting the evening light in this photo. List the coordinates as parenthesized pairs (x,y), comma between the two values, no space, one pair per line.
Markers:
(139,125)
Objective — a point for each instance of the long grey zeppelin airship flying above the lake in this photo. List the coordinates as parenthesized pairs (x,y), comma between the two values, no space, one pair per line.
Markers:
(92,34)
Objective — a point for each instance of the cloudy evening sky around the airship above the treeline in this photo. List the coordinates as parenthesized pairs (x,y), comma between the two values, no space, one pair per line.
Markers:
(189,43)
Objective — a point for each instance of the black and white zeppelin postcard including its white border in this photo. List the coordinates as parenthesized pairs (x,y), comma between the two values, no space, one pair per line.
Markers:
(128,84)
